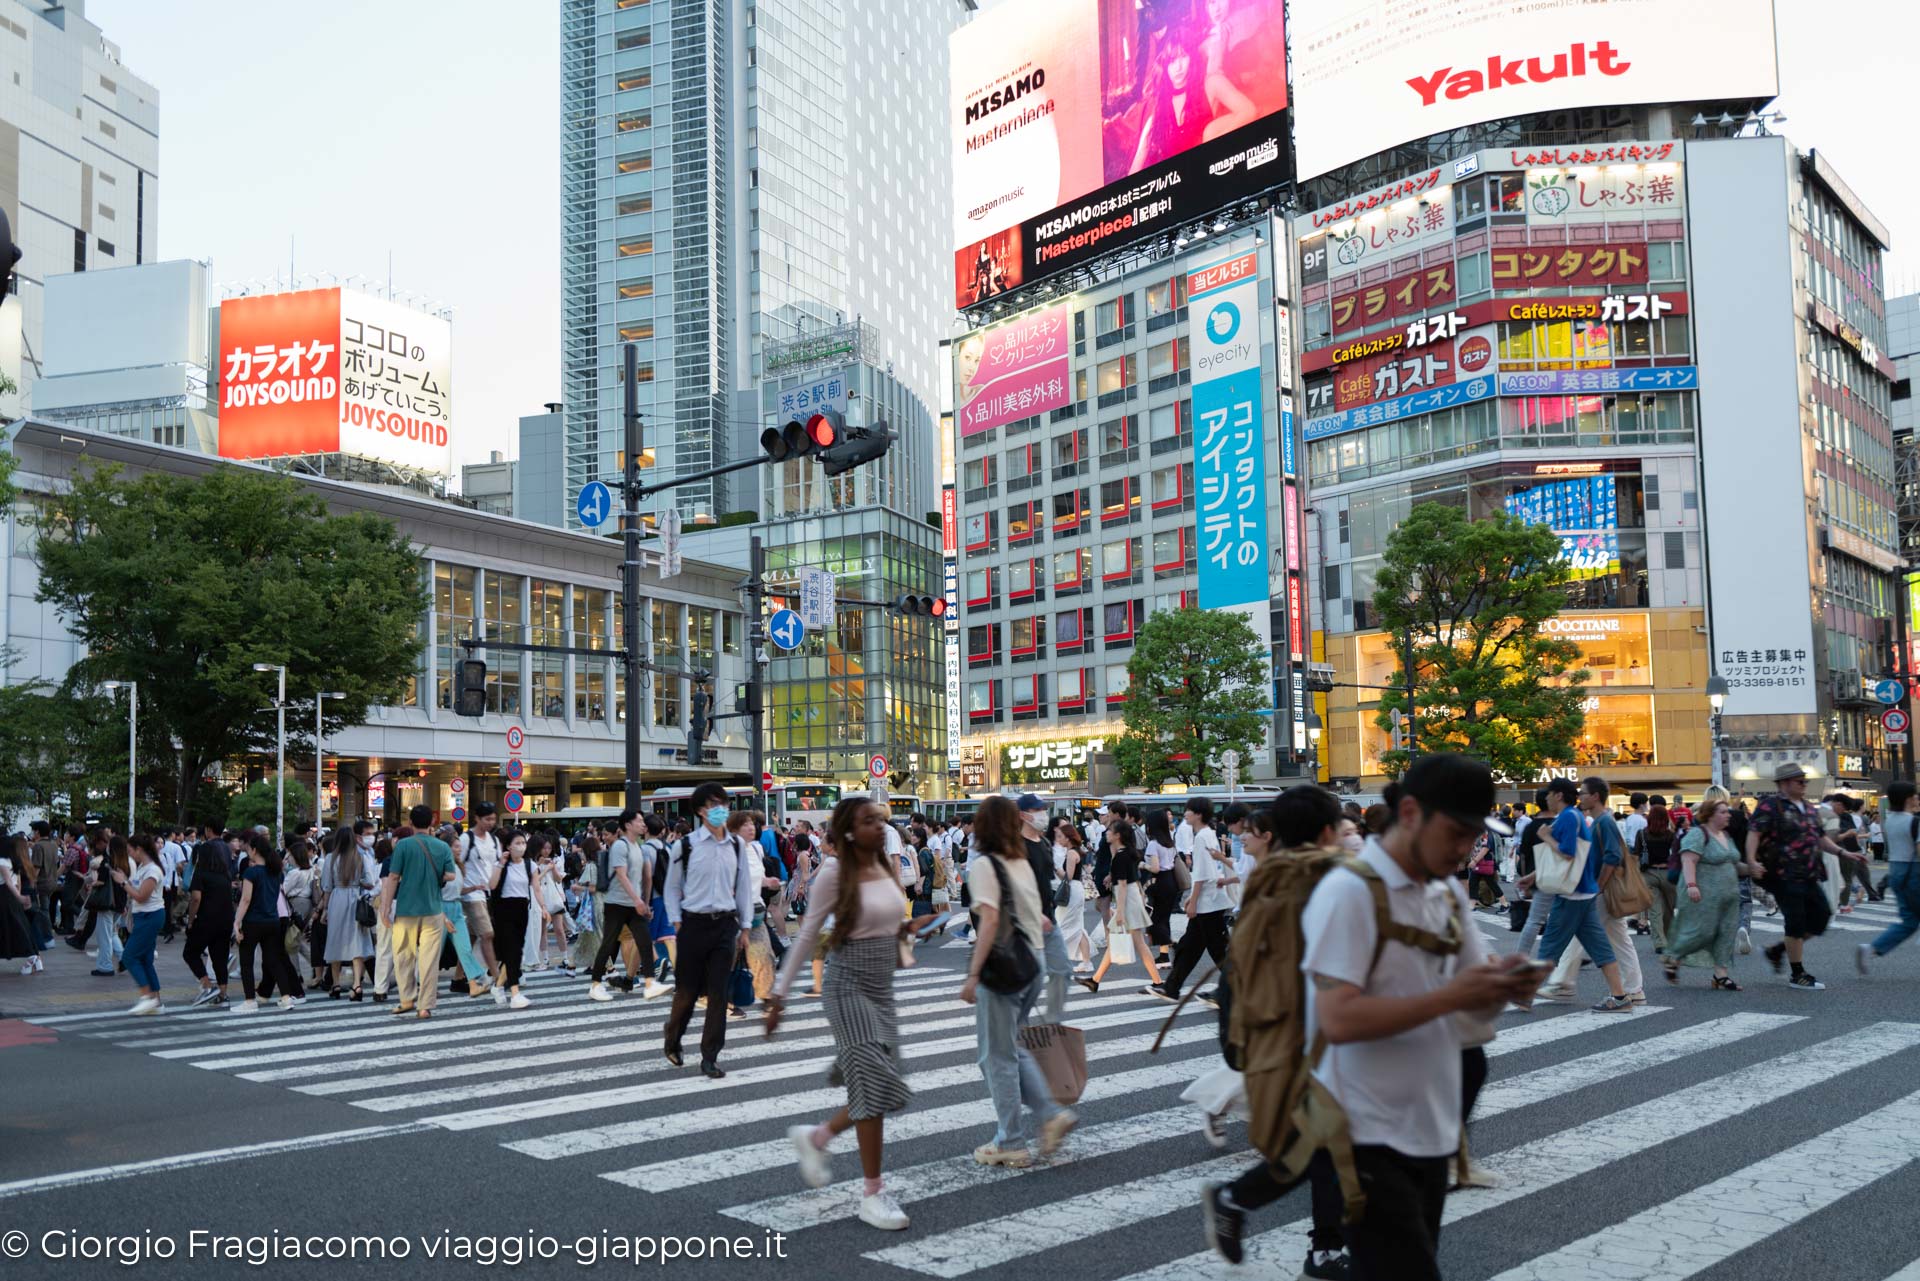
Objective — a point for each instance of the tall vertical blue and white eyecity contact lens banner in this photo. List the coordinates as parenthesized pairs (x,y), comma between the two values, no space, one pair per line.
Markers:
(1230,433)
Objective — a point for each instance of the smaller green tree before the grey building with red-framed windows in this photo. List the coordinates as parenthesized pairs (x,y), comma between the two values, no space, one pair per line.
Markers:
(1195,687)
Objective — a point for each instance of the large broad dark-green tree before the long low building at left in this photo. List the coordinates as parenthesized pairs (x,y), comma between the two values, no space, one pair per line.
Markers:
(185,583)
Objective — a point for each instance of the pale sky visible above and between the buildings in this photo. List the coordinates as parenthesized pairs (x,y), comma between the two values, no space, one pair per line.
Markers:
(362,133)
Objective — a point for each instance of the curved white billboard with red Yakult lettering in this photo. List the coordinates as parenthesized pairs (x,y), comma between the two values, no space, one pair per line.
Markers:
(1370,76)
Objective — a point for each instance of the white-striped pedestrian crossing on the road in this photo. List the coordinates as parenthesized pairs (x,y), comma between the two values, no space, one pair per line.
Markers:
(1773,1111)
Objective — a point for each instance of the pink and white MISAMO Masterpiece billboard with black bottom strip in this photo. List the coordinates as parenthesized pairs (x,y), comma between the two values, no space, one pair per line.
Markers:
(1080,126)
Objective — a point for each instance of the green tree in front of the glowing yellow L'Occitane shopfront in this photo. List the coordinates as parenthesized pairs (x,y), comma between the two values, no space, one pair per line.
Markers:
(1470,602)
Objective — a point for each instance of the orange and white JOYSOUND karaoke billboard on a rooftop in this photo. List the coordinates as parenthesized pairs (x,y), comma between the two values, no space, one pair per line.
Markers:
(335,372)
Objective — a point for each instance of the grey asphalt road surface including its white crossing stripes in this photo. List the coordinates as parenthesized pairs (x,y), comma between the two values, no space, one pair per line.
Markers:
(1758,1136)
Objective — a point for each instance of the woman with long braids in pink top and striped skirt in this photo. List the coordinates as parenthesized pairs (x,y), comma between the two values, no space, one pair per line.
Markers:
(861,890)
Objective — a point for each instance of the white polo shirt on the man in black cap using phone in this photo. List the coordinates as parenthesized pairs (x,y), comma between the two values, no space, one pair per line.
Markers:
(1399,1092)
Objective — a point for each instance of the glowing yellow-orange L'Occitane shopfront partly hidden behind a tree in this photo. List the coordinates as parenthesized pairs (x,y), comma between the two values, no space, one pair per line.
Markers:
(1646,702)
